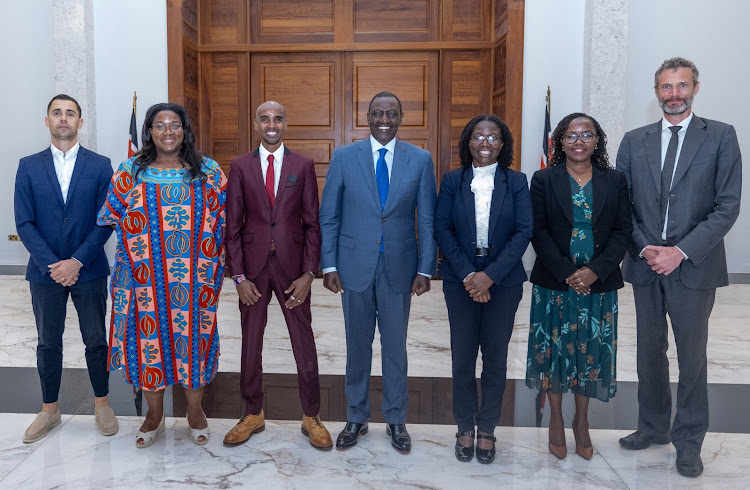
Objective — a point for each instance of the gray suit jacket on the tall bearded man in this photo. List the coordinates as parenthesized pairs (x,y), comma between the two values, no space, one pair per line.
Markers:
(704,203)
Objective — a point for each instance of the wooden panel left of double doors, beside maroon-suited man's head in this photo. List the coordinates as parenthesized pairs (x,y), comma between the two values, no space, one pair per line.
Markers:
(225,106)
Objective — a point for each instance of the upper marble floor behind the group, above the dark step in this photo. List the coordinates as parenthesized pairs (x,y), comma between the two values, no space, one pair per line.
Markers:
(428,340)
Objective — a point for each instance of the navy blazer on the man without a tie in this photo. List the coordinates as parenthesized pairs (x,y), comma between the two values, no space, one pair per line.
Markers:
(53,230)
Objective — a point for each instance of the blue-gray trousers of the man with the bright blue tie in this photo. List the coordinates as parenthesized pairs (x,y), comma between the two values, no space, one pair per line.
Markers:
(391,311)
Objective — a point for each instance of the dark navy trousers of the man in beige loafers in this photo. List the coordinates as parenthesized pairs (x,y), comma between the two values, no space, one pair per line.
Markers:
(49,303)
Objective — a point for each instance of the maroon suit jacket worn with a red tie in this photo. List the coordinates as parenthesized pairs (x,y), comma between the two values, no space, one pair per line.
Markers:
(292,224)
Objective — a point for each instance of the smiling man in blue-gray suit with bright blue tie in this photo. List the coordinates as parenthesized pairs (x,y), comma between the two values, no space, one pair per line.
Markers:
(371,255)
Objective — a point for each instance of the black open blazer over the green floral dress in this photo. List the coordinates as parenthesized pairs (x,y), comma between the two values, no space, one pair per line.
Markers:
(553,224)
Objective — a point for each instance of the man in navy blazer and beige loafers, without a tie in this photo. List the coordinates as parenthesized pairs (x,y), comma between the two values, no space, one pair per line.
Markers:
(58,194)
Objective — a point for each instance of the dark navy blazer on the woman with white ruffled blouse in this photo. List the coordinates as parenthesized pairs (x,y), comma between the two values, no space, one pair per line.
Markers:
(511,226)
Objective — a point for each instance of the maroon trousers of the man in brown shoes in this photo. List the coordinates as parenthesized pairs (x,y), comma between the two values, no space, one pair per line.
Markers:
(299,323)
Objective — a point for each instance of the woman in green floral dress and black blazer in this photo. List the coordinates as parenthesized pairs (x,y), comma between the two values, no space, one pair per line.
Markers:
(582,228)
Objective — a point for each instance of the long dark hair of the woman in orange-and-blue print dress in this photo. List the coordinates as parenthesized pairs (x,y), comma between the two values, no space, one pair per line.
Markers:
(189,154)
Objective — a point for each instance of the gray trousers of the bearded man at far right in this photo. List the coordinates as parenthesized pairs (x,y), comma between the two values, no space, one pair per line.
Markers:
(688,310)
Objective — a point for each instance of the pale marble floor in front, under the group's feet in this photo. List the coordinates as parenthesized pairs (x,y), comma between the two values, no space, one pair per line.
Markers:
(75,455)
